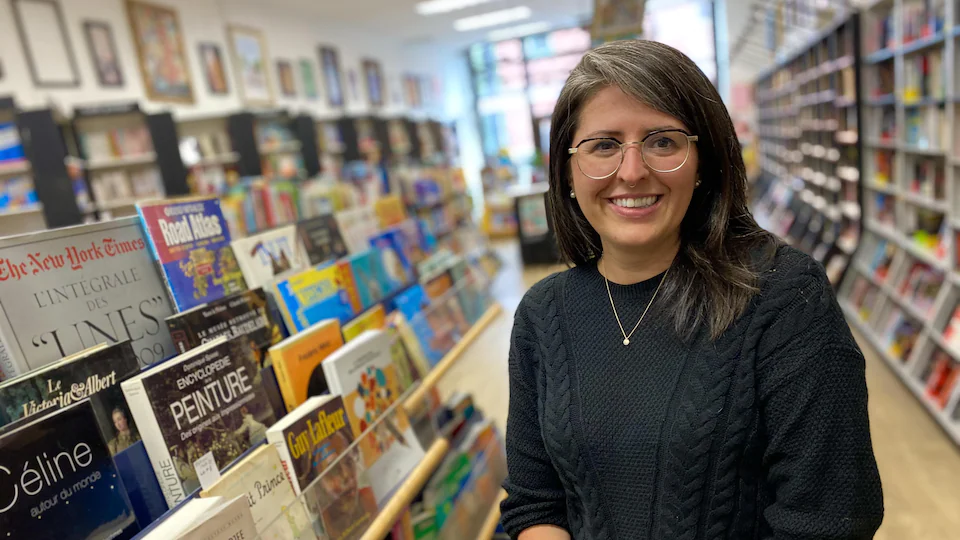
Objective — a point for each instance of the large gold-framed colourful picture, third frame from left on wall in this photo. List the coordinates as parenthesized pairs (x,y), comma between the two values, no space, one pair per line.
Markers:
(160,52)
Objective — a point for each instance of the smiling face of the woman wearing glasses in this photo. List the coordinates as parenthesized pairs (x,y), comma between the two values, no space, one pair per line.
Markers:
(659,200)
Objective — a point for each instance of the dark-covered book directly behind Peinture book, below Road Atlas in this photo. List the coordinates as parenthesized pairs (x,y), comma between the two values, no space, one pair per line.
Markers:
(241,314)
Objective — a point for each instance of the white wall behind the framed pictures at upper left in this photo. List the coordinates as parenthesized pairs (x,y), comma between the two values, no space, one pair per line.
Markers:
(289,34)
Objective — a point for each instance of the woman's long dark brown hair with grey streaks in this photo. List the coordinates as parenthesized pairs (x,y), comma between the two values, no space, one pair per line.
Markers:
(715,274)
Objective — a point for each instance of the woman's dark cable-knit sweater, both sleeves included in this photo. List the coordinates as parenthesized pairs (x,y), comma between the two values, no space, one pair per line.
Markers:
(760,434)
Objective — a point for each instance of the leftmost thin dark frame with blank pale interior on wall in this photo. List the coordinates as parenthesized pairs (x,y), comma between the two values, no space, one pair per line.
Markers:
(46,45)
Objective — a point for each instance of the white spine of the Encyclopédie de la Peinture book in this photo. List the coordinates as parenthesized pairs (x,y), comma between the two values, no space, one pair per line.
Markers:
(163,465)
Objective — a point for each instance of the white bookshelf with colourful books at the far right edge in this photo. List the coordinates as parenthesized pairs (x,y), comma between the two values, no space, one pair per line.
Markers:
(903,290)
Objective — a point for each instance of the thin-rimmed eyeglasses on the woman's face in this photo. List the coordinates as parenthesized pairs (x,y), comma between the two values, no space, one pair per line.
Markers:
(665,150)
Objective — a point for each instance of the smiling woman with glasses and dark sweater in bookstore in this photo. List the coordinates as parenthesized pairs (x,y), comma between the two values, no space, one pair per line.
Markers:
(689,377)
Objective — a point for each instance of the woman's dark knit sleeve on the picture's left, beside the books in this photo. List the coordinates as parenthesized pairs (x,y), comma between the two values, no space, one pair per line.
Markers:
(535,495)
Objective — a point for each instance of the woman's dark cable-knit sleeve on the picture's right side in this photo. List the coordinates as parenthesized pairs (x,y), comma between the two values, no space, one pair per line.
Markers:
(818,460)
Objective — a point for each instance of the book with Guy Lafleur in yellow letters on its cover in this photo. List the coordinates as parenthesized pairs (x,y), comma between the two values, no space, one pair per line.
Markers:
(310,438)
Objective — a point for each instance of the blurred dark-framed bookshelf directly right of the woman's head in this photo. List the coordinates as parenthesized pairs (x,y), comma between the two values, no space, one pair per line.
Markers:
(810,142)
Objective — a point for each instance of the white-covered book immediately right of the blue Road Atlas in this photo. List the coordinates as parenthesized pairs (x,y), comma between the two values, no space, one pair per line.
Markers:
(268,254)
